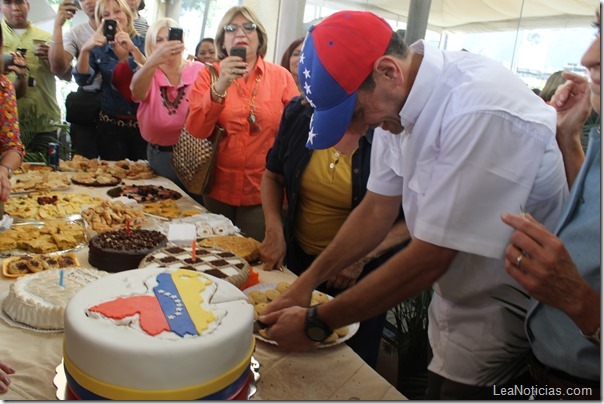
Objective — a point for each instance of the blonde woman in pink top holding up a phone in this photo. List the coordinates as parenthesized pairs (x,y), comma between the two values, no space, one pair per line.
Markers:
(161,87)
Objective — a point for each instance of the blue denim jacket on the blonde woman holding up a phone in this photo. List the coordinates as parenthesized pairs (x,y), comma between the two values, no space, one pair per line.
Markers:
(103,59)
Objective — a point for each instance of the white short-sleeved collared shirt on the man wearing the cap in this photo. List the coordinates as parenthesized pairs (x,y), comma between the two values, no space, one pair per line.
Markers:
(477,143)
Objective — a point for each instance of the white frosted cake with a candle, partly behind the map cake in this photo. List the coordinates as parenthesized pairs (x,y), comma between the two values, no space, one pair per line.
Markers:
(38,300)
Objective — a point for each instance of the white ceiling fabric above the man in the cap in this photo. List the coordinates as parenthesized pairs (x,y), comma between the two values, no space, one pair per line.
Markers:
(487,15)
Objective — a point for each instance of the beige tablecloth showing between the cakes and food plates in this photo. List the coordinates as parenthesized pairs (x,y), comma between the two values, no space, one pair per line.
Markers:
(335,373)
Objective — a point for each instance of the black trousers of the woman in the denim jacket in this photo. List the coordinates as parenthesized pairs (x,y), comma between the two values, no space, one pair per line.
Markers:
(121,142)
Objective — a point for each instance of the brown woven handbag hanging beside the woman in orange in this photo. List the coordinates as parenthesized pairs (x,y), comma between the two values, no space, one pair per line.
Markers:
(193,158)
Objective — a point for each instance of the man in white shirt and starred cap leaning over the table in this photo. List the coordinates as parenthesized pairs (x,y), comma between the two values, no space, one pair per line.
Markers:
(461,141)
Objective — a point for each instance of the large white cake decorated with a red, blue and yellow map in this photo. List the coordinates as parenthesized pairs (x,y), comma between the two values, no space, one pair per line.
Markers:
(193,339)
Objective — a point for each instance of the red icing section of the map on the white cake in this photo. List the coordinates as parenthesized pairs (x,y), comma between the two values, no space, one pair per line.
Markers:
(151,316)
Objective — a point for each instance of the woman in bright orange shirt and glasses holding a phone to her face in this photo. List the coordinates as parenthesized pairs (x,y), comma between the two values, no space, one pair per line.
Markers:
(247,100)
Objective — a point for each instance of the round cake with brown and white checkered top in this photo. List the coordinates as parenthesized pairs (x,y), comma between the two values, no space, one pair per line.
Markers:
(211,260)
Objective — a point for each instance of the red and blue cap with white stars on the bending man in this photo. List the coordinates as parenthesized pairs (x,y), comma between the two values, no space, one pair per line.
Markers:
(337,56)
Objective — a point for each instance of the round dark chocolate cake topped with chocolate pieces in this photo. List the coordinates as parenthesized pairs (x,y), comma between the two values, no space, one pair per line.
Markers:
(116,251)
